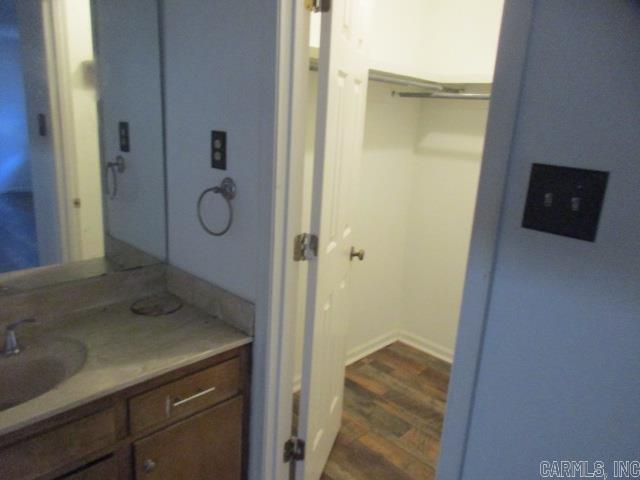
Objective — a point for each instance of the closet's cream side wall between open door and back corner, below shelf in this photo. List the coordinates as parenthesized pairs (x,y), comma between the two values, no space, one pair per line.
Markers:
(381,219)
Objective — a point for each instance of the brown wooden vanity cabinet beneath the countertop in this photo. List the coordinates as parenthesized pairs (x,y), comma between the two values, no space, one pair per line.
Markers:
(188,423)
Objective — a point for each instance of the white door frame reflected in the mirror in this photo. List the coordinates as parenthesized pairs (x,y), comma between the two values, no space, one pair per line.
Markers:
(81,233)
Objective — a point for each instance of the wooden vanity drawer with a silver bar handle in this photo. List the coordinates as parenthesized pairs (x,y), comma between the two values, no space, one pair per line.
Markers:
(186,396)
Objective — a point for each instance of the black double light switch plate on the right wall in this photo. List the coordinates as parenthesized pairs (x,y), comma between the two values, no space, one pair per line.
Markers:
(565,201)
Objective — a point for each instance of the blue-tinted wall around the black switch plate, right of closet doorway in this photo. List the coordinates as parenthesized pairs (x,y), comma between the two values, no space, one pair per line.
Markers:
(560,358)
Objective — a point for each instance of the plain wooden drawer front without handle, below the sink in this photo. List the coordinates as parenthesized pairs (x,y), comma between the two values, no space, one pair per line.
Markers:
(56,448)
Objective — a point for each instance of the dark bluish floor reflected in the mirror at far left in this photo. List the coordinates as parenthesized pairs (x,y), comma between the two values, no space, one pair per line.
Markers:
(18,242)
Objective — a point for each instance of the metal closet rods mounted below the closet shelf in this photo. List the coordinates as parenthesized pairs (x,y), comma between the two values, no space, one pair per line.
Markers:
(436,90)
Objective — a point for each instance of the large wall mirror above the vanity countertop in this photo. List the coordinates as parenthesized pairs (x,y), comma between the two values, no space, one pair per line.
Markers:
(82,184)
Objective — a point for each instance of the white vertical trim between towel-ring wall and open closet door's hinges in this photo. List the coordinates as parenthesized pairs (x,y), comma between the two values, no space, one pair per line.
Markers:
(281,193)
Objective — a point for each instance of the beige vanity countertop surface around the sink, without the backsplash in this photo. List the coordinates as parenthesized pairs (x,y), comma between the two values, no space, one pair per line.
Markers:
(123,349)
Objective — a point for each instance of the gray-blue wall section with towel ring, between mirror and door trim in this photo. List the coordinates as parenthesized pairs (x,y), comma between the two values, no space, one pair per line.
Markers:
(220,62)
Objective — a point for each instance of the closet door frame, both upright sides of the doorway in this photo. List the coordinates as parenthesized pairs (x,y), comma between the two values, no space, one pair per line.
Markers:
(277,298)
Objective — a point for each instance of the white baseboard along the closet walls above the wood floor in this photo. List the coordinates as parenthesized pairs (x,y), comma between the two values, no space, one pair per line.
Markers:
(419,343)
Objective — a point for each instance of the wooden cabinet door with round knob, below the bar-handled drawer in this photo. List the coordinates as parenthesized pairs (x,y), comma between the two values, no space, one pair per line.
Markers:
(203,447)
